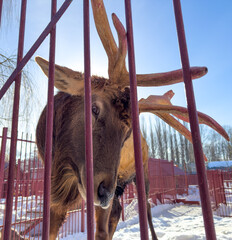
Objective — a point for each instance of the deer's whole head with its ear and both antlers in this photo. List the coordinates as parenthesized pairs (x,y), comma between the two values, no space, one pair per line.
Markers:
(111,107)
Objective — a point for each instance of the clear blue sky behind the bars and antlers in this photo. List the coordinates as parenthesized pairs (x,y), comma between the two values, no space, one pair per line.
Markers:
(209,39)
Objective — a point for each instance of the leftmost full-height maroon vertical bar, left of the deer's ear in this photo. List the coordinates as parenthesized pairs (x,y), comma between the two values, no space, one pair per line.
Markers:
(14,128)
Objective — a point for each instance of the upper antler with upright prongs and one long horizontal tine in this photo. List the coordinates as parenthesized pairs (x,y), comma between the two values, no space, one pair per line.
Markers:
(117,71)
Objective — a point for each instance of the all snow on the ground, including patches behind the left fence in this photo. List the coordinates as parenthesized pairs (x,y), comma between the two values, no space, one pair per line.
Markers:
(171,221)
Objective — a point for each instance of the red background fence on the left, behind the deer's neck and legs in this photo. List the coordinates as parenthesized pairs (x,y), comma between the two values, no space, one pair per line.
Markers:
(28,194)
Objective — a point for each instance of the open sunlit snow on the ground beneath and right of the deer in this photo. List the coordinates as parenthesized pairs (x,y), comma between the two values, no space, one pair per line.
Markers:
(171,222)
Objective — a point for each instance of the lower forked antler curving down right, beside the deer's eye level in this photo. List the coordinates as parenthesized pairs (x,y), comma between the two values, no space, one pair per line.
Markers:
(163,108)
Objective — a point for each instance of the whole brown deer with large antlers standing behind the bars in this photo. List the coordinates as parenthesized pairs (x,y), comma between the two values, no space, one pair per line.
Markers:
(113,158)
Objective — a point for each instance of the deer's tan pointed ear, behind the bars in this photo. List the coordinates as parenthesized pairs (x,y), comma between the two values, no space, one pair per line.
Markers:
(66,80)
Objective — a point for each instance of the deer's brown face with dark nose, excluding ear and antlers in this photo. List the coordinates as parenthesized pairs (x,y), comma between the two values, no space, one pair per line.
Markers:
(110,128)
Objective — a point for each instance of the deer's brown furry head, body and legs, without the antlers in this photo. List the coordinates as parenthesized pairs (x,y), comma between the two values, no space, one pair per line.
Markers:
(113,155)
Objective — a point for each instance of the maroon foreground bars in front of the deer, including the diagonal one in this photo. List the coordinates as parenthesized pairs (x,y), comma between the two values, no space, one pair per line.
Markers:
(16,77)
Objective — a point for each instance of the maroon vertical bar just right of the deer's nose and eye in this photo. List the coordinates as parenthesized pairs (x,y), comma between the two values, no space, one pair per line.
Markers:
(136,129)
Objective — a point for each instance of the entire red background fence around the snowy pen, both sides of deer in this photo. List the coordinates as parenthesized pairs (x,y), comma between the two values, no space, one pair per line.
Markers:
(167,185)
